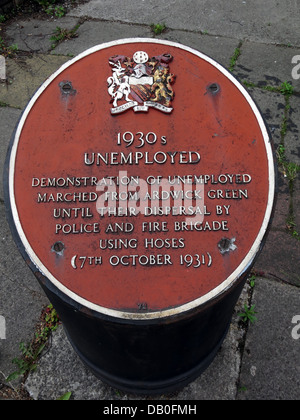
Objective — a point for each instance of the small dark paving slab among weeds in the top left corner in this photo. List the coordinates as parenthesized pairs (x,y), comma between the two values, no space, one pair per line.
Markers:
(33,35)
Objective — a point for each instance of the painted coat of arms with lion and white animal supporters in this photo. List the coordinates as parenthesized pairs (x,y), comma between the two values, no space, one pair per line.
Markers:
(141,82)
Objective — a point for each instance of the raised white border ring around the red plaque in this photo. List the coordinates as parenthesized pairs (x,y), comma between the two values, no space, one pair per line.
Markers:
(213,293)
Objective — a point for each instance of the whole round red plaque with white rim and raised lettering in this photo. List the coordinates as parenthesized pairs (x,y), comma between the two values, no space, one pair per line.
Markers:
(142,179)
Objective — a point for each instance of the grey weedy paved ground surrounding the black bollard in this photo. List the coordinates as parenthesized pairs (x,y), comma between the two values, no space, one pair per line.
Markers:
(258,40)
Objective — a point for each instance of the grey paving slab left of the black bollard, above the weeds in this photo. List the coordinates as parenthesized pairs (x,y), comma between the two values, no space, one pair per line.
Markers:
(21,299)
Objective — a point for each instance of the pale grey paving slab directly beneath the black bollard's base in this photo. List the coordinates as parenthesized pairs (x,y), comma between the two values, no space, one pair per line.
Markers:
(218,382)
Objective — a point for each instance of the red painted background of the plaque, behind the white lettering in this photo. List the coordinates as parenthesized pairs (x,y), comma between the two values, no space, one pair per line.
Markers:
(61,128)
